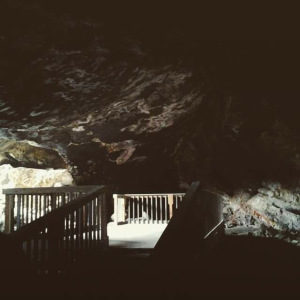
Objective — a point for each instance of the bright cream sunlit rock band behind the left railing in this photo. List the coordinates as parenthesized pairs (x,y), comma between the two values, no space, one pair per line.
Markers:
(28,177)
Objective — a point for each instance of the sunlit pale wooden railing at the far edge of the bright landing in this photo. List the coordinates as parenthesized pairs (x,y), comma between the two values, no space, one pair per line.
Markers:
(145,208)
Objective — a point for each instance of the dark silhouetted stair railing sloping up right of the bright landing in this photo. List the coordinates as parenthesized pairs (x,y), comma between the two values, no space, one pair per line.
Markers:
(197,225)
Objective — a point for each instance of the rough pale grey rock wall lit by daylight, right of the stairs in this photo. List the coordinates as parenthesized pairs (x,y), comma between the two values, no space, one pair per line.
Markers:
(273,211)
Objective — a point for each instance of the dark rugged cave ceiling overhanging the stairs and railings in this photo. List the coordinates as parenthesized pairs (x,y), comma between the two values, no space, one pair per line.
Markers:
(148,105)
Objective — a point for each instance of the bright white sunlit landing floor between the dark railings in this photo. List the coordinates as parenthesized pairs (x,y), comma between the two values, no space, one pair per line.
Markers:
(134,235)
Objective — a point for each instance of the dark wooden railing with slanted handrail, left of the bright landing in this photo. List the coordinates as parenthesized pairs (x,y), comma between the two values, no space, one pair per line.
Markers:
(64,222)
